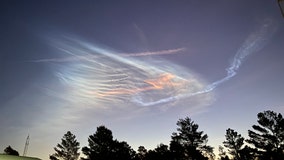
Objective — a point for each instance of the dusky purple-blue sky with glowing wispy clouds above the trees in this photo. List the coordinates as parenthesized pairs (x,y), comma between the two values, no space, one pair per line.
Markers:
(136,67)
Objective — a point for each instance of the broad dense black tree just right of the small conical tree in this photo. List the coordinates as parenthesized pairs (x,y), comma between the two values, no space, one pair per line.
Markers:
(103,147)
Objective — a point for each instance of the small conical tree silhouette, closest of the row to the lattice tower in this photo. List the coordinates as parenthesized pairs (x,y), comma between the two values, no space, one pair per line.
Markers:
(68,149)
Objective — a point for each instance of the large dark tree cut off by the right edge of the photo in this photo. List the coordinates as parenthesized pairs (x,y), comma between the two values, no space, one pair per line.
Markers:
(268,137)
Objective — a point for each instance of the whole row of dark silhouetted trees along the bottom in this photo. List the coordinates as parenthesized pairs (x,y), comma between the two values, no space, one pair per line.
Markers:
(265,142)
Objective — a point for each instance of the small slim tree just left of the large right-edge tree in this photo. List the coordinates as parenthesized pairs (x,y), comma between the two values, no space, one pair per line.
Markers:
(234,143)
